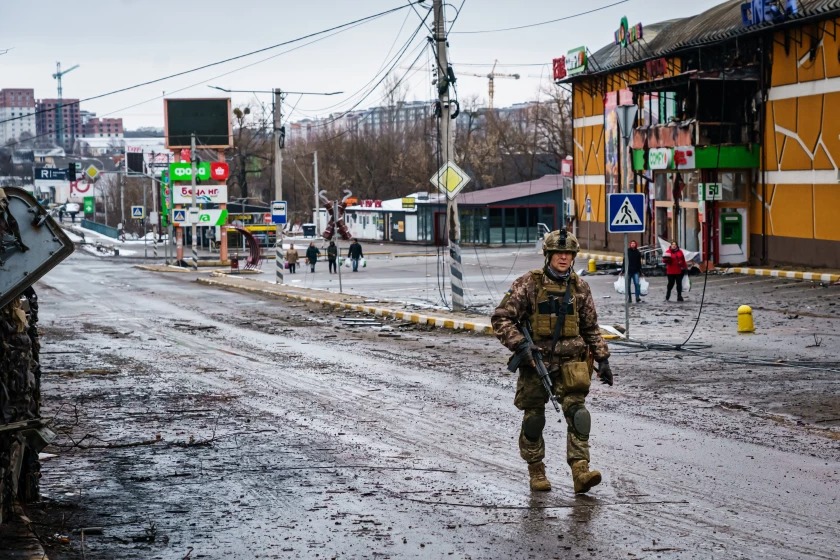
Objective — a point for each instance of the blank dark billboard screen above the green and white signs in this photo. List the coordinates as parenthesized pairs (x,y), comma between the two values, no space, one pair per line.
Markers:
(207,118)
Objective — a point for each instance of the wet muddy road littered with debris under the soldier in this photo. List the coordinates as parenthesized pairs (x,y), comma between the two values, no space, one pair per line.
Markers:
(199,423)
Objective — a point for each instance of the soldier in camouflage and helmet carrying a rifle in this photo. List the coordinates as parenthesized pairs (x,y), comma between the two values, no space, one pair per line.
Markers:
(558,305)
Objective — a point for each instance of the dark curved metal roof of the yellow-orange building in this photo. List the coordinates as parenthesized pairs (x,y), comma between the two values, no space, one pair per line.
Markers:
(717,24)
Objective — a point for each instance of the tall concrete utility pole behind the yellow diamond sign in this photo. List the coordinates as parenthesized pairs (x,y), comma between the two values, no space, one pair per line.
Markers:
(447,147)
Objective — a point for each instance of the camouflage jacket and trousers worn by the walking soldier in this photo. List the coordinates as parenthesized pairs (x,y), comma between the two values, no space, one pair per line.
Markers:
(519,303)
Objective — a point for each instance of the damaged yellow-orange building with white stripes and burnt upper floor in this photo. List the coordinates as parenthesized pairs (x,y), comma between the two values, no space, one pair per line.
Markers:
(733,131)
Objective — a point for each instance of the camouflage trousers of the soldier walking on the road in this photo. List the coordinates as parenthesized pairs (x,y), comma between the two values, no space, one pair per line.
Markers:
(531,398)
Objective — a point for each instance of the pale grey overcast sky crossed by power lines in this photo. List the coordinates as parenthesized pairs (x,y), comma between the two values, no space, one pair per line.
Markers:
(122,43)
